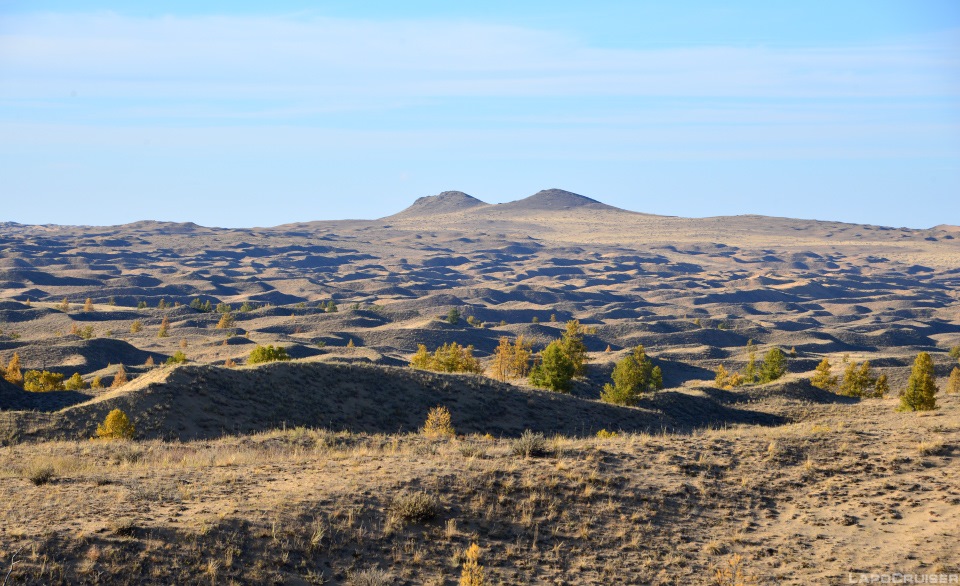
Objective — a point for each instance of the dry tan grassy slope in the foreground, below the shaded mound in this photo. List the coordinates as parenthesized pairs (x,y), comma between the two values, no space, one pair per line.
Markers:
(341,507)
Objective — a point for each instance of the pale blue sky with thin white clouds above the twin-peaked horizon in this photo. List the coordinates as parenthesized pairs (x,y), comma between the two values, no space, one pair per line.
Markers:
(241,114)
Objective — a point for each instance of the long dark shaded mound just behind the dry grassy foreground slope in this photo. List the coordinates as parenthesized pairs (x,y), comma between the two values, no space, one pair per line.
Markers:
(191,402)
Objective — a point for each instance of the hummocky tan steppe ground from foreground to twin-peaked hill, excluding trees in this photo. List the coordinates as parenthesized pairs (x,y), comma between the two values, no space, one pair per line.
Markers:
(297,472)
